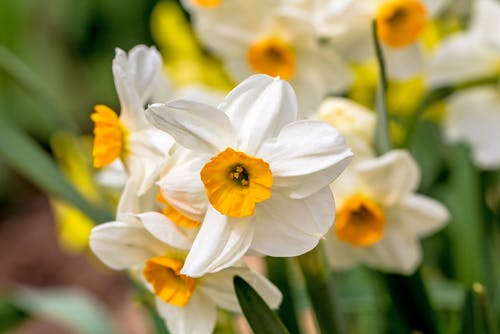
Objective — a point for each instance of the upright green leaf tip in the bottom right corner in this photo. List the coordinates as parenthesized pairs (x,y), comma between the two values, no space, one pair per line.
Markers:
(477,314)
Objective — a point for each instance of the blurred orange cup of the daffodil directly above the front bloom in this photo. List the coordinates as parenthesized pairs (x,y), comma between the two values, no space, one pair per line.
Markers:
(272,56)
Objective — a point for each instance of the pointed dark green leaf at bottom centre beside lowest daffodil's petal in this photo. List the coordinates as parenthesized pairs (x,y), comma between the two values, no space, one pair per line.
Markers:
(260,317)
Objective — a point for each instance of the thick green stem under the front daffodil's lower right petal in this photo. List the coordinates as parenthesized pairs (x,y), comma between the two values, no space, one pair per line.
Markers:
(321,291)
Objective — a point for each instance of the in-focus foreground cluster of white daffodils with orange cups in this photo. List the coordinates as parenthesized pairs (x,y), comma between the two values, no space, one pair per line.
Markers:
(207,185)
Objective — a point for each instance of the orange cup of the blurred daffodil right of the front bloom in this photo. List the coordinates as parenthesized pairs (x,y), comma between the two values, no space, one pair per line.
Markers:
(360,222)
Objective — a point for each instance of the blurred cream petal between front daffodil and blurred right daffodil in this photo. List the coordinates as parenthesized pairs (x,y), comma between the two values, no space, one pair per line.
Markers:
(390,177)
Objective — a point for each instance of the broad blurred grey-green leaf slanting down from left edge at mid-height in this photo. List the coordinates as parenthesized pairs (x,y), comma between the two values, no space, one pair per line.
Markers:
(25,156)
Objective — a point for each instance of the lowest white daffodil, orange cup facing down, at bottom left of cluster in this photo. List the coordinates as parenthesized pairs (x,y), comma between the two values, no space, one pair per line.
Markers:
(188,305)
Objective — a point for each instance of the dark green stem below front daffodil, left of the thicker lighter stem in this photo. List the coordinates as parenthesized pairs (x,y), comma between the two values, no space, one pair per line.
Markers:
(278,273)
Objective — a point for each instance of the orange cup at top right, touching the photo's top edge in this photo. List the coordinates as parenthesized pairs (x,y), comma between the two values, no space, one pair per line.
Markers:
(400,22)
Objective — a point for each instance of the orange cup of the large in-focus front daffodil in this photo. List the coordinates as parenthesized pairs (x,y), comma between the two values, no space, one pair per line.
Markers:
(235,182)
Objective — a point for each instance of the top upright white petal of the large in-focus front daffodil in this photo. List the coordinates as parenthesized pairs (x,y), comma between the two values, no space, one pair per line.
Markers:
(258,108)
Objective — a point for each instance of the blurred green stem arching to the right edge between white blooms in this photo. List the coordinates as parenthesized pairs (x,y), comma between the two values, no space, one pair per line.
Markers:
(437,94)
